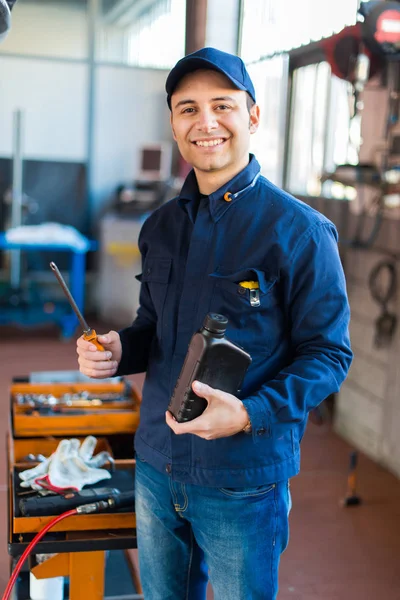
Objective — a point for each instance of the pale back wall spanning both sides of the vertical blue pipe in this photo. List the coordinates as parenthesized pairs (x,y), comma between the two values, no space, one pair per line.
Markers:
(45,72)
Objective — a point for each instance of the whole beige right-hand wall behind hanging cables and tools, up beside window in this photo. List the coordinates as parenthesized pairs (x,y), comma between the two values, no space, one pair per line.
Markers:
(367,412)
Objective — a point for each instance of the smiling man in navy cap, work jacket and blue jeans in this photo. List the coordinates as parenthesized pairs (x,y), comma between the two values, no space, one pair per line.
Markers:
(212,497)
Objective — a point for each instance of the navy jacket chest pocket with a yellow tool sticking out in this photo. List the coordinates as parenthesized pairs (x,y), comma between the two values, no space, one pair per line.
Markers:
(250,300)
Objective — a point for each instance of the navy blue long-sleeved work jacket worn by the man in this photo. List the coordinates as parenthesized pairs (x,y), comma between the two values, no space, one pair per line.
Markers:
(195,252)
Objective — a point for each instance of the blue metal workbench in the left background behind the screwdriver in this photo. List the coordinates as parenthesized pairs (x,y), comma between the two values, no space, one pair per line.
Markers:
(60,313)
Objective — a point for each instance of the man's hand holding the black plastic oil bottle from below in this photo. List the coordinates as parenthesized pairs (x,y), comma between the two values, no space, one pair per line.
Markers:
(224,416)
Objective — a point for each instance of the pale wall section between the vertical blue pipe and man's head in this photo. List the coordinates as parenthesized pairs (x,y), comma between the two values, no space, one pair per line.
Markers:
(130,110)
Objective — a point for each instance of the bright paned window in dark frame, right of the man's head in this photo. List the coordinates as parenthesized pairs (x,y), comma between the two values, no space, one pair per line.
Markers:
(319,136)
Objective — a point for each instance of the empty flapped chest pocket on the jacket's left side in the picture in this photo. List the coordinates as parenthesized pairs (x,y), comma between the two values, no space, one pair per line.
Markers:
(156,275)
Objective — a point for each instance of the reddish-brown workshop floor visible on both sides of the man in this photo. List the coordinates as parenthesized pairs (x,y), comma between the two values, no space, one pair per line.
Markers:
(333,554)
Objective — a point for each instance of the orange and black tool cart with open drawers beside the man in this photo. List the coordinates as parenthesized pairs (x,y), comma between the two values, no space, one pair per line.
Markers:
(80,542)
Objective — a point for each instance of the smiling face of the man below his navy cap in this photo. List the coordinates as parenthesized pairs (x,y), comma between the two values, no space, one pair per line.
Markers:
(211,123)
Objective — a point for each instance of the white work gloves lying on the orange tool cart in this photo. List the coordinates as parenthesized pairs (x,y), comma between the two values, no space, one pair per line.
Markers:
(71,466)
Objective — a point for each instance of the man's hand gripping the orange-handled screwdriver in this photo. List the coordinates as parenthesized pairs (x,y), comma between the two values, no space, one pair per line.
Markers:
(97,364)
